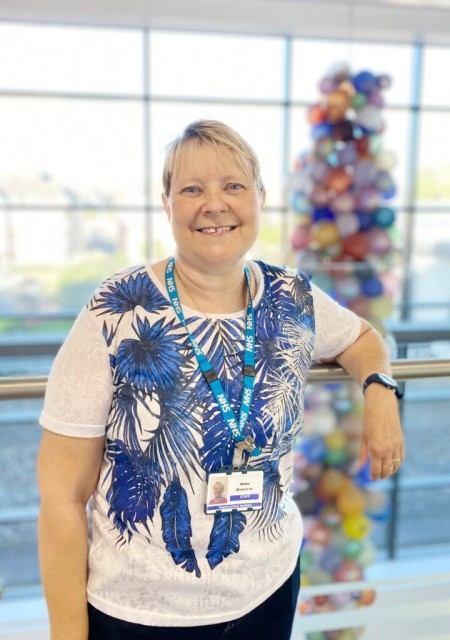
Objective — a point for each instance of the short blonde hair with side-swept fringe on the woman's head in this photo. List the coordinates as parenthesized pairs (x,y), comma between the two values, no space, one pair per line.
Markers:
(216,134)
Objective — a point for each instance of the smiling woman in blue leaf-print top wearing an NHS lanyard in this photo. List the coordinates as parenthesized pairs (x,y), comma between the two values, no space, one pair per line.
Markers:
(176,373)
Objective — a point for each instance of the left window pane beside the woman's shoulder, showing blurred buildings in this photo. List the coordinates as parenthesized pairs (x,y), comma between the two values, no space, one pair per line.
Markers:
(56,259)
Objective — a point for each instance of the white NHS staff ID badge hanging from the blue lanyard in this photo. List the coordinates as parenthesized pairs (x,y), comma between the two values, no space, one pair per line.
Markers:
(234,491)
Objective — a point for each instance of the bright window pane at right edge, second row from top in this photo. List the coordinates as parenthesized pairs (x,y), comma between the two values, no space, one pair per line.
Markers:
(433,184)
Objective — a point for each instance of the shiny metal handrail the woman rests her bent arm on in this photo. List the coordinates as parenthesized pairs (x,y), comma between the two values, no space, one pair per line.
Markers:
(34,387)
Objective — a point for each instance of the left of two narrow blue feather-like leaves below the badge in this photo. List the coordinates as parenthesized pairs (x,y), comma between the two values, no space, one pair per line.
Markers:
(176,527)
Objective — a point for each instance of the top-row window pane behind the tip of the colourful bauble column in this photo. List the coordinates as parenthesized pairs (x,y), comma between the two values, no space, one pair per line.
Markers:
(313,58)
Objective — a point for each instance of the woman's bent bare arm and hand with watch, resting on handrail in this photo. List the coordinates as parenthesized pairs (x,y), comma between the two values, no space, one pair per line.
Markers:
(382,439)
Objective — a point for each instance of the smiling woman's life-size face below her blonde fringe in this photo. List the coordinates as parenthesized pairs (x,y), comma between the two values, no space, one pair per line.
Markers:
(213,207)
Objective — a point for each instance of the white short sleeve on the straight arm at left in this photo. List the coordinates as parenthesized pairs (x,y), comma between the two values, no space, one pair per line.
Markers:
(80,387)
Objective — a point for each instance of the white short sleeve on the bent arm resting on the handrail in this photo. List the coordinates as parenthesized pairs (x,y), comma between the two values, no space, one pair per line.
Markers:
(336,327)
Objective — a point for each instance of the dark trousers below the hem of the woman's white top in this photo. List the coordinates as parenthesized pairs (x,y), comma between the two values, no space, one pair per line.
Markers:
(271,620)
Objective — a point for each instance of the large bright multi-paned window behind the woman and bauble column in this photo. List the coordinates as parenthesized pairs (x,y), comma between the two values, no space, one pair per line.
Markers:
(85,114)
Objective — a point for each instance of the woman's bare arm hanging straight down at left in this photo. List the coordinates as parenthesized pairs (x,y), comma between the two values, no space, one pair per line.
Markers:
(68,470)
